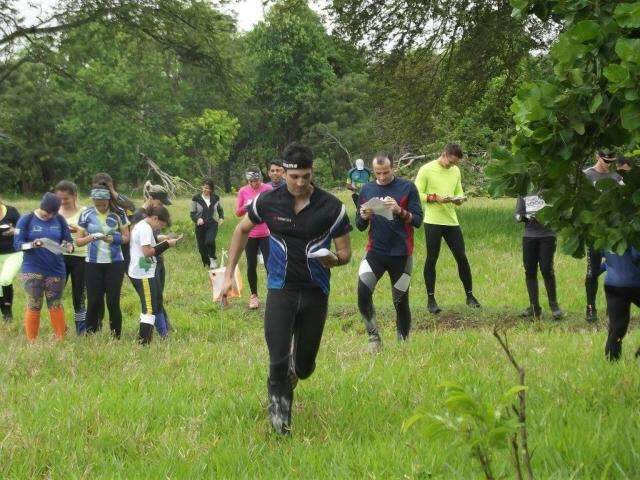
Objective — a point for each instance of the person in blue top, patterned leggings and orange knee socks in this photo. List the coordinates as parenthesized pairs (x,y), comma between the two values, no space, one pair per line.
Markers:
(44,236)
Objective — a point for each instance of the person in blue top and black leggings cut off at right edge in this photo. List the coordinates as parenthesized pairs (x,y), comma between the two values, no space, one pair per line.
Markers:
(621,288)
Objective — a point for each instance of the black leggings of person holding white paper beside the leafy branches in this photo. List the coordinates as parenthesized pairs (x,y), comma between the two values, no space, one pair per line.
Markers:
(539,251)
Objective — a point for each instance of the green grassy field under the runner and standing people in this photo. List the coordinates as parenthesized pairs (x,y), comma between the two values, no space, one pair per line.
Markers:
(195,405)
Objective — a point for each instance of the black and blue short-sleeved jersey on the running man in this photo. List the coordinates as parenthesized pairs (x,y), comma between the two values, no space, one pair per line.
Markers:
(294,236)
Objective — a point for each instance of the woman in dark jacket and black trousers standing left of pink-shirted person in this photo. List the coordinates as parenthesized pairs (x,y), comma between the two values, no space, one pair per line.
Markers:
(207,214)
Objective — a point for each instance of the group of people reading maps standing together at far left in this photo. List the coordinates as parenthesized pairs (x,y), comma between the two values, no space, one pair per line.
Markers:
(92,247)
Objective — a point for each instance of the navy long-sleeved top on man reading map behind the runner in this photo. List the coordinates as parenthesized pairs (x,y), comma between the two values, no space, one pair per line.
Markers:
(393,238)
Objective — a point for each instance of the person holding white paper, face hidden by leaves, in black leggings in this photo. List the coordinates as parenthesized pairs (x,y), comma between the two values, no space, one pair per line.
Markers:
(538,248)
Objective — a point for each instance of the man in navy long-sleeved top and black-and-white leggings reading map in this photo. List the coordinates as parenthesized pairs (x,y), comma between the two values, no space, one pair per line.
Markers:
(390,245)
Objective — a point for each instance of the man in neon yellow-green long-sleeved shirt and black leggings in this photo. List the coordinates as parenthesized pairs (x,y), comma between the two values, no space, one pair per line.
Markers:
(440,188)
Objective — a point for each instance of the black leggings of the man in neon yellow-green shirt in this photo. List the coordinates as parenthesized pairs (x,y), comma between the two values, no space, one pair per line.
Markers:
(455,241)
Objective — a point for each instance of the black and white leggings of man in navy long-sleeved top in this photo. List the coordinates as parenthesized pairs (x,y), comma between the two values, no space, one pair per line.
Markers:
(372,268)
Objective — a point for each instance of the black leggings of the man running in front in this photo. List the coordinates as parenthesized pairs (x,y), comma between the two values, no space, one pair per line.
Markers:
(297,315)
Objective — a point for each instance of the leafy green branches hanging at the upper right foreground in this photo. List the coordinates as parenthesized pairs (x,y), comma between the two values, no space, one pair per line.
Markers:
(590,102)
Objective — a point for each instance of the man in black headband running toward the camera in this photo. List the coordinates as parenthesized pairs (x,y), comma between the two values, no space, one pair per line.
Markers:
(302,220)
